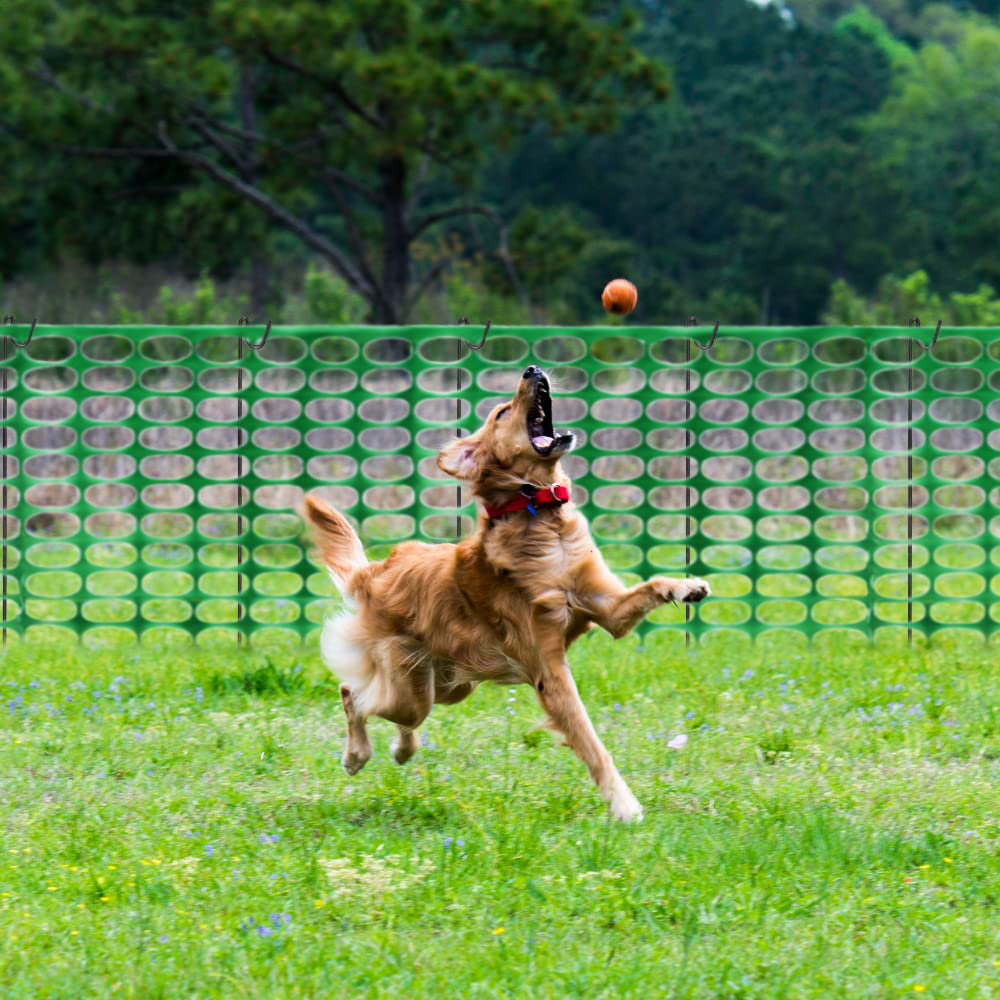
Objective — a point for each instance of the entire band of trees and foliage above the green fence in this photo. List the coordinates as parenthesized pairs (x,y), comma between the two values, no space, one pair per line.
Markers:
(802,143)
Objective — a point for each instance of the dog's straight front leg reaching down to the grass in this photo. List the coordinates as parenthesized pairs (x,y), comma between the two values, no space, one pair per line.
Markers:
(557,692)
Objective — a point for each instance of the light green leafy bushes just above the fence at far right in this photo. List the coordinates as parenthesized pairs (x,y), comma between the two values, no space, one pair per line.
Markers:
(896,300)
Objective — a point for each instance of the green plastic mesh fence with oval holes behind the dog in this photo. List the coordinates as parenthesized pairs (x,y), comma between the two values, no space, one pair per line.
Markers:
(821,479)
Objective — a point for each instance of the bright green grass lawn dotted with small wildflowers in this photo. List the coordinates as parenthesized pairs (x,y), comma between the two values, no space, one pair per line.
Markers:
(830,830)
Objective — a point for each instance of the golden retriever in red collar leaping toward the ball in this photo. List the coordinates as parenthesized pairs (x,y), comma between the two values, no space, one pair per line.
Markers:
(431,622)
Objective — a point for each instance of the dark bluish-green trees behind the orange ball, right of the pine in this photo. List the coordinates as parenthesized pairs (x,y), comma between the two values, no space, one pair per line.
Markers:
(752,182)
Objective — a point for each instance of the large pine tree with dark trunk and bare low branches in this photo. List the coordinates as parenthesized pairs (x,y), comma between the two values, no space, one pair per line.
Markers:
(358,127)
